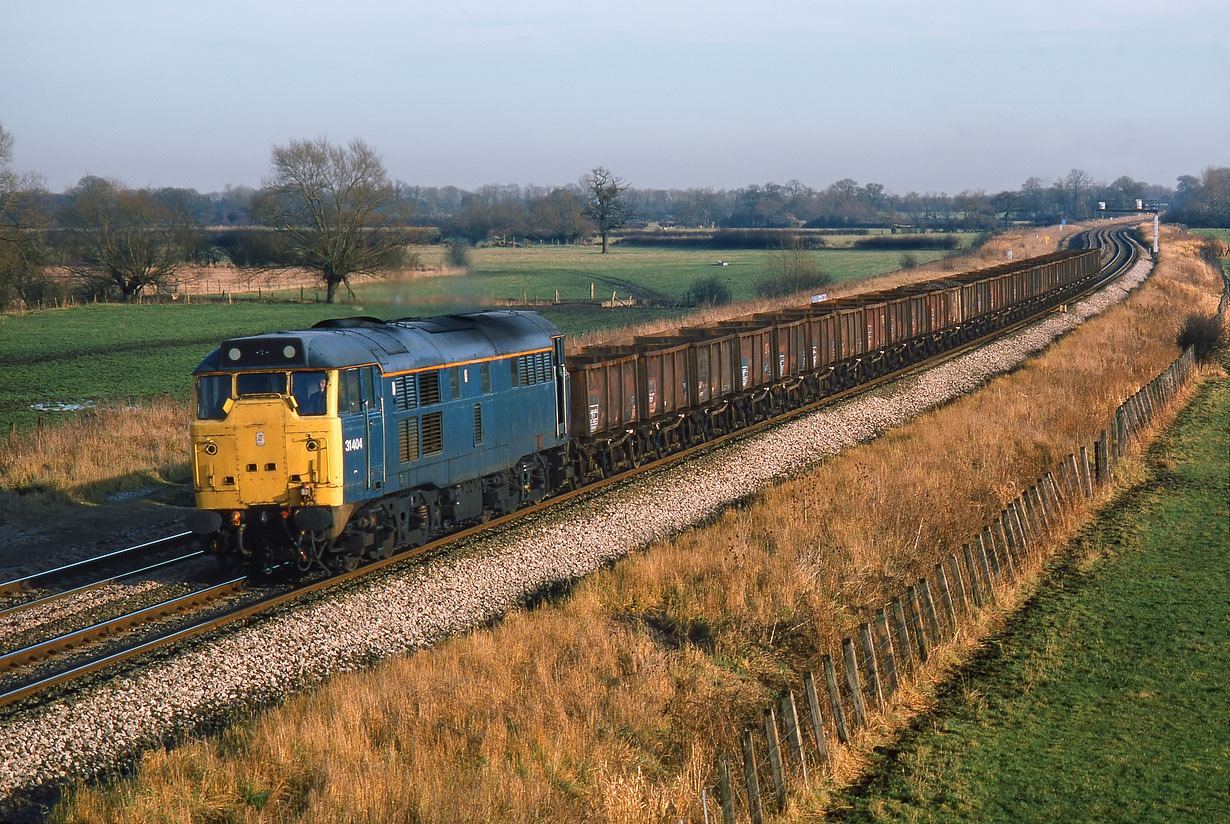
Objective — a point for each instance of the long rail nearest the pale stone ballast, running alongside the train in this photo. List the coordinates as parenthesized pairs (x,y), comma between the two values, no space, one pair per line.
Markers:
(270,603)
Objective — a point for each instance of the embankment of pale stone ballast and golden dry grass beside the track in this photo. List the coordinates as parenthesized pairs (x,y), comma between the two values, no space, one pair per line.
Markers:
(618,698)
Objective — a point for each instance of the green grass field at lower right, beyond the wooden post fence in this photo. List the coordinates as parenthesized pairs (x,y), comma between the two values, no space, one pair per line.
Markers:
(1106,699)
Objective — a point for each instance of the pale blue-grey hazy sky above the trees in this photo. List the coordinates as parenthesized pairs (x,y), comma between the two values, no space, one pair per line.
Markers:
(934,97)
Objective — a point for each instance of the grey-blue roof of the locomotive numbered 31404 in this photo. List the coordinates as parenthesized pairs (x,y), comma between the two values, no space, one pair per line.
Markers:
(403,345)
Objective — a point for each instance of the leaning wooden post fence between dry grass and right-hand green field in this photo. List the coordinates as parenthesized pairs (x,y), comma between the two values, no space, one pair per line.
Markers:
(796,740)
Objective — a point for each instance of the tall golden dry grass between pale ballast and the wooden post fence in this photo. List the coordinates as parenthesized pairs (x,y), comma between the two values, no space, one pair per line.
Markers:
(612,704)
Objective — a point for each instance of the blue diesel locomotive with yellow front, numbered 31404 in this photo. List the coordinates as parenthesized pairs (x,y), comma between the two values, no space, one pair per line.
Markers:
(416,426)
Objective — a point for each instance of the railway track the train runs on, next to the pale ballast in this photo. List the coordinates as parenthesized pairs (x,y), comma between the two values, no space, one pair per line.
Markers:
(1120,254)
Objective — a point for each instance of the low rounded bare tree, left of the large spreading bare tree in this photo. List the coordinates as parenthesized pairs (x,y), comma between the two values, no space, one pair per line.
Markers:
(124,239)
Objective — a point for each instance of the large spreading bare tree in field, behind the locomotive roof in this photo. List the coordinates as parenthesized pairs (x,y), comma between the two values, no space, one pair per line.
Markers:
(335,208)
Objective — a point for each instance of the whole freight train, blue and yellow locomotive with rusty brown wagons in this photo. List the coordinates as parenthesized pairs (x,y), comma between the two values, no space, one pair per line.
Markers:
(325,448)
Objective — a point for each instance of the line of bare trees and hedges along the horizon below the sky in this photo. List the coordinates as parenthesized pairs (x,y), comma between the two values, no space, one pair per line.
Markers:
(334,211)
